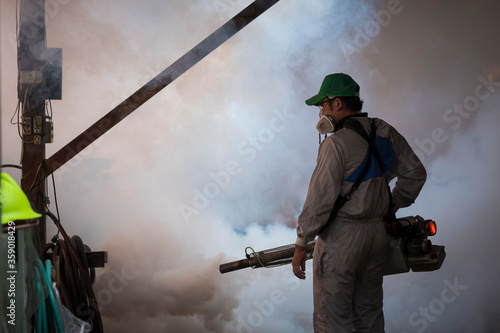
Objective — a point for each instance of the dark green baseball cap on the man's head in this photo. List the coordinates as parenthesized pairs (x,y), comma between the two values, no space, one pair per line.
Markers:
(335,85)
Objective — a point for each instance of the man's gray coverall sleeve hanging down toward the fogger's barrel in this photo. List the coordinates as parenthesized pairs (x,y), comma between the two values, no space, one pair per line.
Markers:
(324,189)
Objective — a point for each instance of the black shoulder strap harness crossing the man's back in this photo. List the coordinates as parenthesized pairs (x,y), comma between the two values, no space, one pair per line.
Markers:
(358,128)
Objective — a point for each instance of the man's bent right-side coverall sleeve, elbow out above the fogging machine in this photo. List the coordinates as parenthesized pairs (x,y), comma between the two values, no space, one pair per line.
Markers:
(409,170)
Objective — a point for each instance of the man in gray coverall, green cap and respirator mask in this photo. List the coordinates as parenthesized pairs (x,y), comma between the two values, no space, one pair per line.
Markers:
(351,252)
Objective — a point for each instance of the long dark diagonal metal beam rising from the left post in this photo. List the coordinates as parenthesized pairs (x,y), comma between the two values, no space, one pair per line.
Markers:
(150,89)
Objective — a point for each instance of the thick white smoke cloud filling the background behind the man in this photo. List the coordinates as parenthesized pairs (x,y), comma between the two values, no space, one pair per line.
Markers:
(221,158)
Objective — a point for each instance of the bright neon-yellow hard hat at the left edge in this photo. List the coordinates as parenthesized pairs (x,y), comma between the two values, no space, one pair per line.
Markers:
(14,203)
